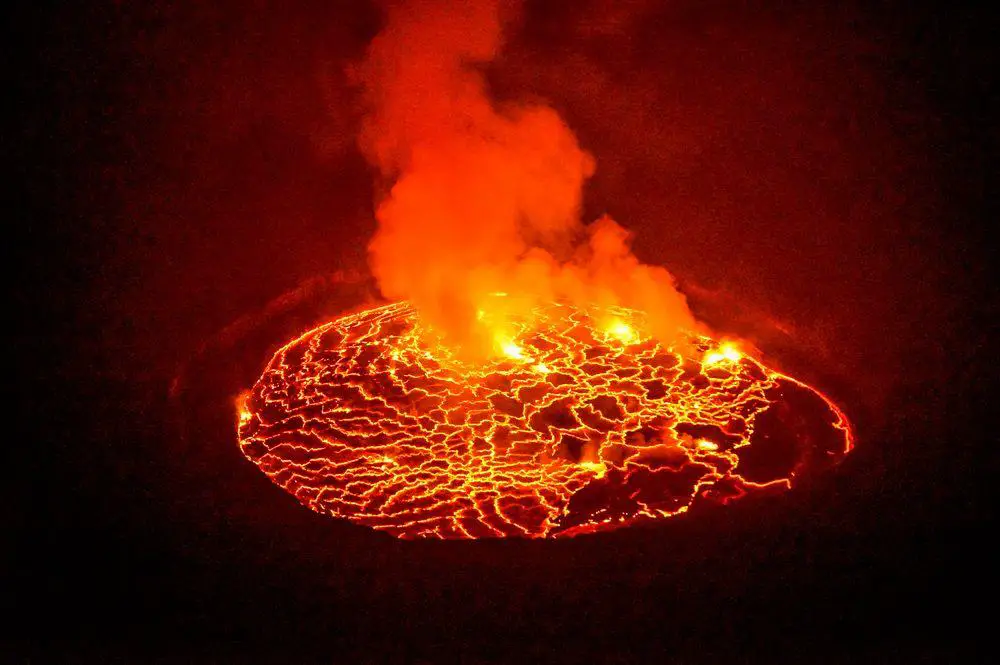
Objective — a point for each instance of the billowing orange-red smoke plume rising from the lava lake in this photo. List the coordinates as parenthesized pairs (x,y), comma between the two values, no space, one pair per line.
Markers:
(485,197)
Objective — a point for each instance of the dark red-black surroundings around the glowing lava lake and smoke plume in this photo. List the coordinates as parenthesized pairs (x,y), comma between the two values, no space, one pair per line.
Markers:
(827,166)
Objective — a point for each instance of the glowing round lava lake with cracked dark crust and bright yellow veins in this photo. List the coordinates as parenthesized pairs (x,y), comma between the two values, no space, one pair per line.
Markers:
(580,424)
